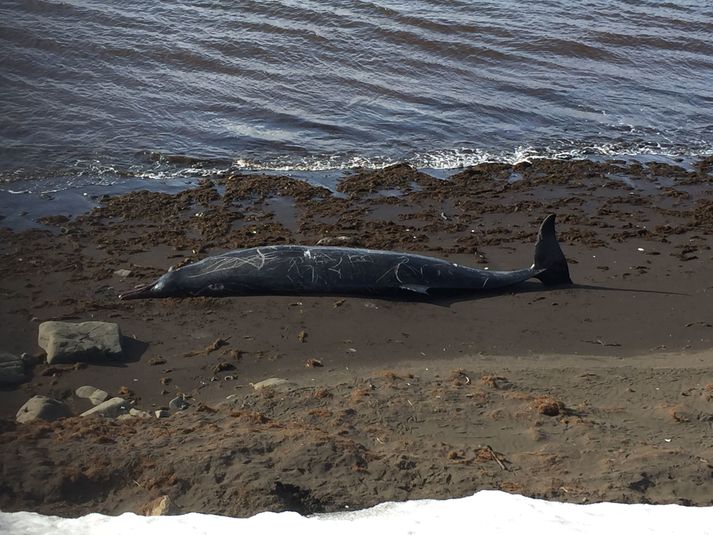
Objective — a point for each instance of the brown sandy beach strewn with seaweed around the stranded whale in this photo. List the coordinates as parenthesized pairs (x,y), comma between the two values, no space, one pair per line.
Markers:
(602,390)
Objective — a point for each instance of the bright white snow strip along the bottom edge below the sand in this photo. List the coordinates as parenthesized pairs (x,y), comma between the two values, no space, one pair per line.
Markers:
(487,512)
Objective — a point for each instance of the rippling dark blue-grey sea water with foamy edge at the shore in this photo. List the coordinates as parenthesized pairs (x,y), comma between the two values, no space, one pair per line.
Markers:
(94,86)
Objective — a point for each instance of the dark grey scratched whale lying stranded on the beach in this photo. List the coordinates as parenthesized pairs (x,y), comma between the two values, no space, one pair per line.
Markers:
(300,269)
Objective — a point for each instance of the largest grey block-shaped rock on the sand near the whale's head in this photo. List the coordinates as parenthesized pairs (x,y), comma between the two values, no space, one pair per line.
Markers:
(79,342)
